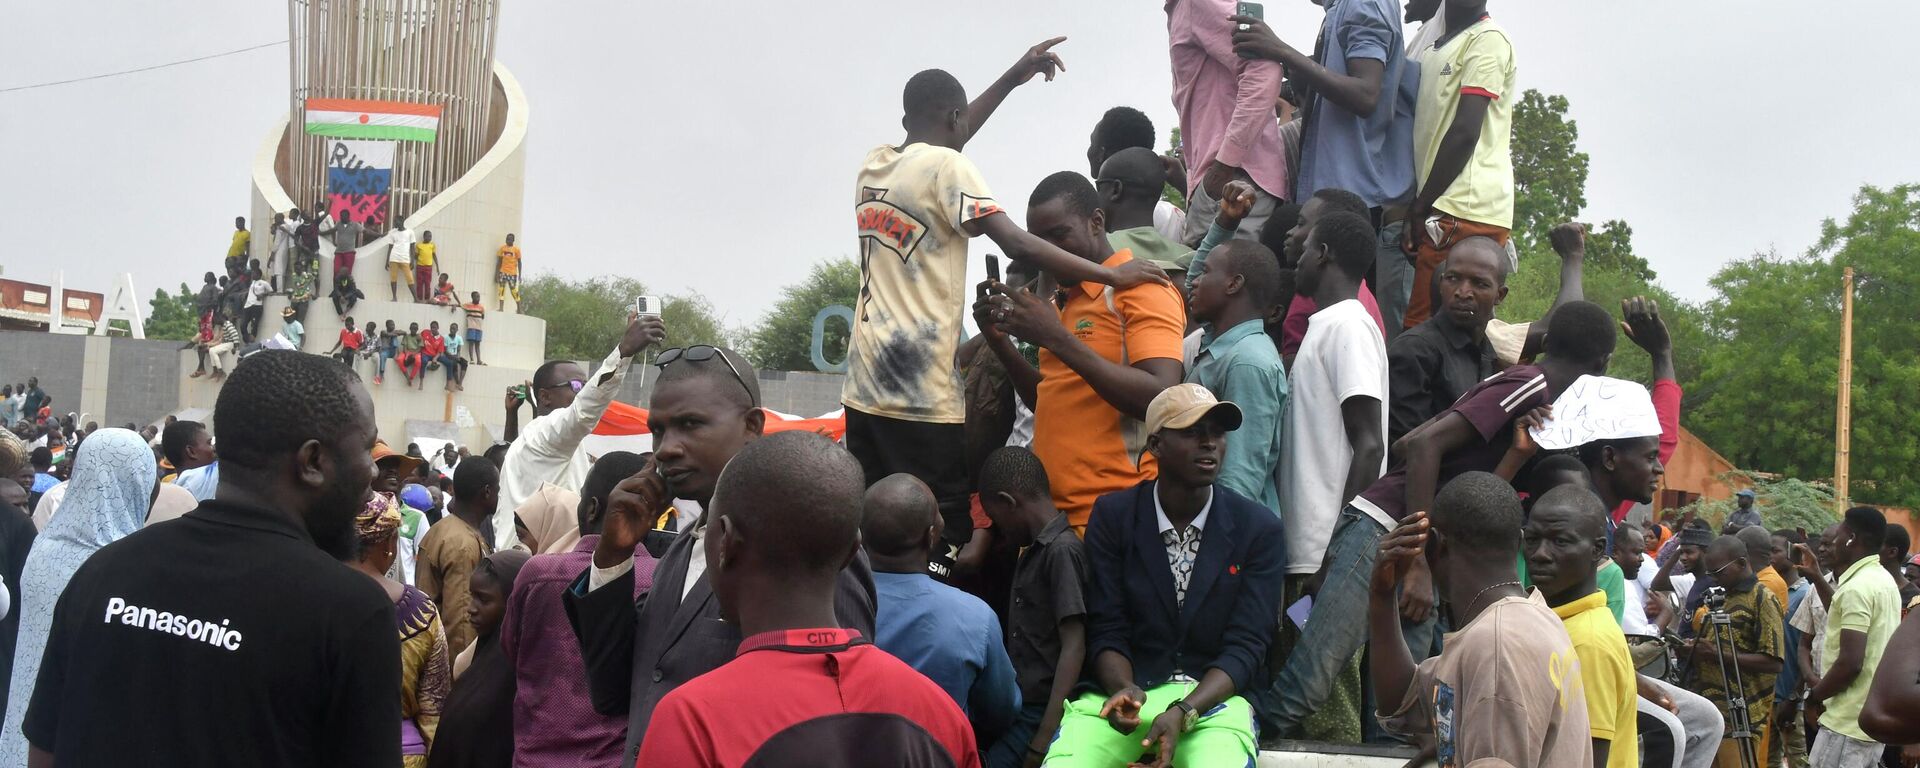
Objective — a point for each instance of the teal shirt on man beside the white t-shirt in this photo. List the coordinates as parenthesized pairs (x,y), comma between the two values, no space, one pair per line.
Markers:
(1241,366)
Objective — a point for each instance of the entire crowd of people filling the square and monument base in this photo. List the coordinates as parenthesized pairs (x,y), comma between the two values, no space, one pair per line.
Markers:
(1207,481)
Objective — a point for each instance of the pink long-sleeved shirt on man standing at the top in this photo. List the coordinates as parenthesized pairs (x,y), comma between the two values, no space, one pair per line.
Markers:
(1226,103)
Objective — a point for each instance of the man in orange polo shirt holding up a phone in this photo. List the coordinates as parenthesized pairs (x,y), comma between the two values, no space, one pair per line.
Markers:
(1105,354)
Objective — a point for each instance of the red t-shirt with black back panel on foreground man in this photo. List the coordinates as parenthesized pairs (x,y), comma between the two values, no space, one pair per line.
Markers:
(809,698)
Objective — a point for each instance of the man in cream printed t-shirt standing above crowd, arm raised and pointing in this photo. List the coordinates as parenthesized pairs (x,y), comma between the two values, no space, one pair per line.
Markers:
(917,206)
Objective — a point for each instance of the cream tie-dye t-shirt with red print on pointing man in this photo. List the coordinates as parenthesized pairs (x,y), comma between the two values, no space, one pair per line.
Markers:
(911,206)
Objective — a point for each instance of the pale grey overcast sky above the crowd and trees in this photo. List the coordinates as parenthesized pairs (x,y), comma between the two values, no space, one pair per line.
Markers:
(715,147)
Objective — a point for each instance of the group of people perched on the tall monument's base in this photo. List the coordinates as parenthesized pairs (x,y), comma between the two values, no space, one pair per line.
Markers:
(229,306)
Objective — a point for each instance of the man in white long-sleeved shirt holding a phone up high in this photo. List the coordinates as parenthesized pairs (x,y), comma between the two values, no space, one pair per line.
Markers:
(567,404)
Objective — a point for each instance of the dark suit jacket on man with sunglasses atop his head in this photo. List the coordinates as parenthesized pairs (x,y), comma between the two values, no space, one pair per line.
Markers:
(636,652)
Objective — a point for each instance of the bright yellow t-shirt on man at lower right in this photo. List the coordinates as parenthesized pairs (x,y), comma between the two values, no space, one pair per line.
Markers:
(1608,675)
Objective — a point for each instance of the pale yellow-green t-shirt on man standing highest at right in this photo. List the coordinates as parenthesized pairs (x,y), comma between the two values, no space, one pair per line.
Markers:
(1479,60)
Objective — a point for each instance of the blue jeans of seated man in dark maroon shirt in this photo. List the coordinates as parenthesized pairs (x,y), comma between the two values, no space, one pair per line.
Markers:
(1337,629)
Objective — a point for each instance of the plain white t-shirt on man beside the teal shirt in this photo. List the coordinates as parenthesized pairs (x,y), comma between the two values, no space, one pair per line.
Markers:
(1343,356)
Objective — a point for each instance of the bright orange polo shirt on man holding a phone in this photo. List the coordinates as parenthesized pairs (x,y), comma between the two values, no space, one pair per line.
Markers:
(1088,444)
